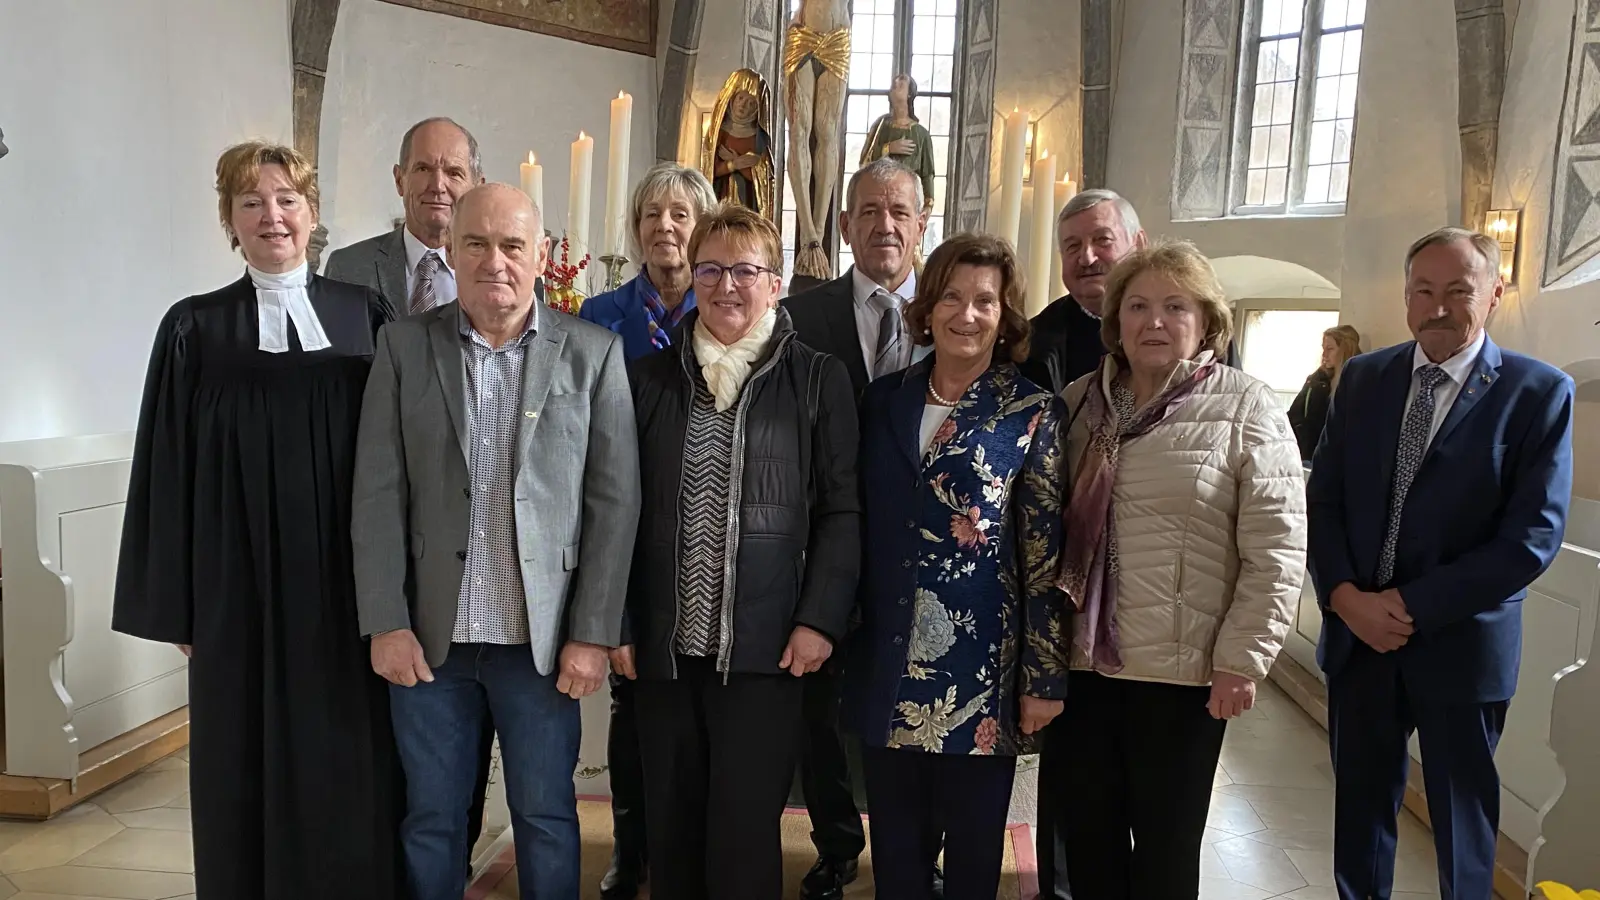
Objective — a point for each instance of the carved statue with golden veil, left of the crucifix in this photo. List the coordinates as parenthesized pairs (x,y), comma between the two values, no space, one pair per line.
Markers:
(738,153)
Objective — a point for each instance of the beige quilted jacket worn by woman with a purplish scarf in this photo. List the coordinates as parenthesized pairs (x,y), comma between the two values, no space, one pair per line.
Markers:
(1210,512)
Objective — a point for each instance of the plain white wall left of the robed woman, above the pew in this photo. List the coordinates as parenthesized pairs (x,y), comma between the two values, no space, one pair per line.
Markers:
(116,115)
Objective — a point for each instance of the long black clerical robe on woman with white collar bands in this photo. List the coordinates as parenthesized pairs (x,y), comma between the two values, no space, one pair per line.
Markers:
(238,542)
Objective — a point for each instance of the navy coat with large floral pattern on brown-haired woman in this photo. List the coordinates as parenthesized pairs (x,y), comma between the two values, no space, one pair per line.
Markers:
(961,614)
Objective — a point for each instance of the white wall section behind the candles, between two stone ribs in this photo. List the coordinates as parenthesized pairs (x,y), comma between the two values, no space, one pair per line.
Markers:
(516,92)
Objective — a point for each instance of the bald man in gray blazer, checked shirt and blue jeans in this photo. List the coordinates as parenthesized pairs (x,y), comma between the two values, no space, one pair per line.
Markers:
(497,500)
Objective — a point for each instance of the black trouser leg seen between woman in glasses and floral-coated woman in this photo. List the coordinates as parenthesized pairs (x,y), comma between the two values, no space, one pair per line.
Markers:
(825,773)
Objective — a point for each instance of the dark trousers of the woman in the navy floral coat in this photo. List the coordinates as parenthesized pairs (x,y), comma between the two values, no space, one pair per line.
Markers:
(921,803)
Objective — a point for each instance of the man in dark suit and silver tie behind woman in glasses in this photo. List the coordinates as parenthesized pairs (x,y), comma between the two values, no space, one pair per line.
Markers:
(855,318)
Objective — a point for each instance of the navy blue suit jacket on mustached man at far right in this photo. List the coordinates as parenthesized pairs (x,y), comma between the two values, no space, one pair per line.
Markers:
(1482,520)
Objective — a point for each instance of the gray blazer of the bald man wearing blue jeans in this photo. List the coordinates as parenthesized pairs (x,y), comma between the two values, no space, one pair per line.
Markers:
(577,488)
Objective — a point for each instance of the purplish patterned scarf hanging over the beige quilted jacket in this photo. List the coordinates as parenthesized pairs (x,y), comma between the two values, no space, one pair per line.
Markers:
(1089,560)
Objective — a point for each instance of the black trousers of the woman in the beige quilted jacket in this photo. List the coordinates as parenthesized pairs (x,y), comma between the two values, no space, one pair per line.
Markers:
(1135,787)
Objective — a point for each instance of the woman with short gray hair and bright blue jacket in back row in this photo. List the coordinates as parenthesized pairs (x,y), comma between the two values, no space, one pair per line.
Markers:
(647,310)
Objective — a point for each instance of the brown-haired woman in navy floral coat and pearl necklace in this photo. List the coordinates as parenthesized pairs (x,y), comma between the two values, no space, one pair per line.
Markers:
(962,654)
